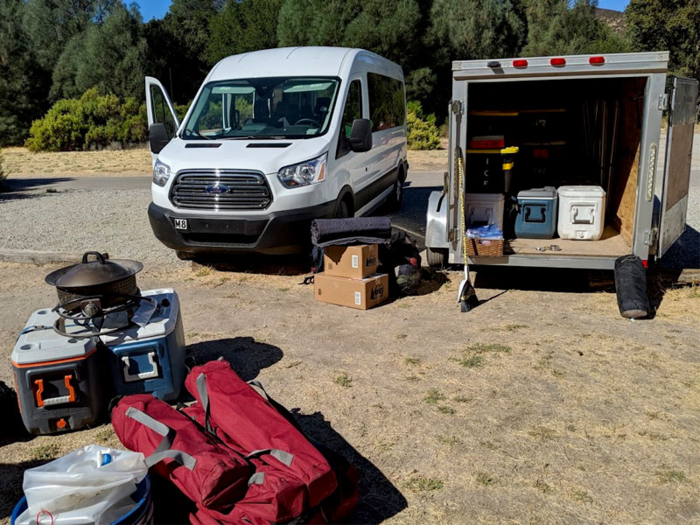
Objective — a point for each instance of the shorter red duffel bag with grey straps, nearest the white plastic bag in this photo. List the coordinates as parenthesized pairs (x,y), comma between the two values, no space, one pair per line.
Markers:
(207,472)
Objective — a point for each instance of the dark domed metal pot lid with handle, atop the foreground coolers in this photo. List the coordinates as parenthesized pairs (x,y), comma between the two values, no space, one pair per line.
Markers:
(100,271)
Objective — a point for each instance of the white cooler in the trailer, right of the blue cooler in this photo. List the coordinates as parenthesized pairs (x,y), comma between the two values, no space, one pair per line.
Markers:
(581,212)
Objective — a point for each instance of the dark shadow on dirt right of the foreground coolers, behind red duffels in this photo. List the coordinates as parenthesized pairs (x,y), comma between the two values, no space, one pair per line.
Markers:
(247,356)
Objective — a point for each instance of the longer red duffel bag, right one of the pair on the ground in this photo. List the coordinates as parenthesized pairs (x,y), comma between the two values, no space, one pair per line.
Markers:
(256,427)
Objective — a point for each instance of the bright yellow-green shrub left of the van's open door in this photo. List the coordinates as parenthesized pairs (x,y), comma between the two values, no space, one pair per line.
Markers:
(93,121)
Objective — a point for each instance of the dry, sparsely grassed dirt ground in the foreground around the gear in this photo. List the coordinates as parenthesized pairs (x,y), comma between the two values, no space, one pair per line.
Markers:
(536,406)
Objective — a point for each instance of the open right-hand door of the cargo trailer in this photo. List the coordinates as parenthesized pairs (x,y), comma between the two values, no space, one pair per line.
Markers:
(679,149)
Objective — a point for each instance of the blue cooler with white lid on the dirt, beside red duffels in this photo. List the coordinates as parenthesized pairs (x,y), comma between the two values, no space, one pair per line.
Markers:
(150,358)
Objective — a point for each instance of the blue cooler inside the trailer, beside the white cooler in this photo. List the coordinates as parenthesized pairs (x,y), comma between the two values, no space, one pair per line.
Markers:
(537,213)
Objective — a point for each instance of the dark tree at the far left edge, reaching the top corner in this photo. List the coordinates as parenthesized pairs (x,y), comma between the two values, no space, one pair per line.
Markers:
(22,84)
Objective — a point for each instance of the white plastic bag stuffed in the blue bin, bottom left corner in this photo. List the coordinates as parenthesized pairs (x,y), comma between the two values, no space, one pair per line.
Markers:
(89,485)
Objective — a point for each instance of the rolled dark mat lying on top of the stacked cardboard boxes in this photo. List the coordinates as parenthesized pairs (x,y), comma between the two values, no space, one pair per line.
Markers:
(356,230)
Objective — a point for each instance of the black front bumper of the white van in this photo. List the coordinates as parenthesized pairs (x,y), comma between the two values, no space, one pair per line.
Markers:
(275,233)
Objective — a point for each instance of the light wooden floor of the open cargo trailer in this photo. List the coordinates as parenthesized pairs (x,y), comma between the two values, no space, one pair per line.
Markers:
(610,244)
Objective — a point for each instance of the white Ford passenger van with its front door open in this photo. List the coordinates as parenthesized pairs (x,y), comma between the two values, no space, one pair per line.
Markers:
(273,140)
